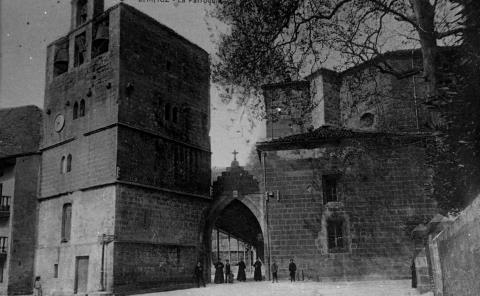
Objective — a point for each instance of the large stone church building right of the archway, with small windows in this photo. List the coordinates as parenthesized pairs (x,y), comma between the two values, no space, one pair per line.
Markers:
(354,182)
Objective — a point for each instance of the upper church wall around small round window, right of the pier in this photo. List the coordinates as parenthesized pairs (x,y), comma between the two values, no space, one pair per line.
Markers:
(395,103)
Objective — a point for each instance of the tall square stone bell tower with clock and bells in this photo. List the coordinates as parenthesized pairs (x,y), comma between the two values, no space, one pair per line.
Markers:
(125,155)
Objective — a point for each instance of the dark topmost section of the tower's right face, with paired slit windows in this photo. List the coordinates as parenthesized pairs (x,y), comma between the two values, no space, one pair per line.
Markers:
(162,68)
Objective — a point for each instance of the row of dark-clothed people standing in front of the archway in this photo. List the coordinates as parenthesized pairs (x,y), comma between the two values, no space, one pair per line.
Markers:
(241,276)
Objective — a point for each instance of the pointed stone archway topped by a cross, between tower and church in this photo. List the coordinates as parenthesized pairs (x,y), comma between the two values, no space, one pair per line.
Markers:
(235,223)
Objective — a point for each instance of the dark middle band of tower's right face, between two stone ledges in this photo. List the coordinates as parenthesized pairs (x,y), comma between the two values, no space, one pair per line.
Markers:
(162,163)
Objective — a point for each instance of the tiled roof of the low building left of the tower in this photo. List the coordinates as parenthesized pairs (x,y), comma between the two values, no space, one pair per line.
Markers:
(20,130)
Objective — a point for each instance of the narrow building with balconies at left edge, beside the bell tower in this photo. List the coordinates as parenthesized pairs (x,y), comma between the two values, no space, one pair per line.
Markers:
(19,180)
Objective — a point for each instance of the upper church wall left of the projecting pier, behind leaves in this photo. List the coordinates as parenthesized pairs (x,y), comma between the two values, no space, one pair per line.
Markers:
(288,108)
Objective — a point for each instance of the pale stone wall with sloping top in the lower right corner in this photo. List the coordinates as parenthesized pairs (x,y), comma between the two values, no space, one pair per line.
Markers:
(459,253)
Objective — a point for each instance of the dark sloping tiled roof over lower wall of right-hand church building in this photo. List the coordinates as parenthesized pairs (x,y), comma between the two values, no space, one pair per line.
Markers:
(326,134)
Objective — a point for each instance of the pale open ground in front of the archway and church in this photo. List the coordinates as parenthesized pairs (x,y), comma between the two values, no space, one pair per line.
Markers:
(284,288)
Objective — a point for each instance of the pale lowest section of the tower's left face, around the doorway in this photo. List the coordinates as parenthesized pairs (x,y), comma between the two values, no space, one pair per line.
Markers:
(93,214)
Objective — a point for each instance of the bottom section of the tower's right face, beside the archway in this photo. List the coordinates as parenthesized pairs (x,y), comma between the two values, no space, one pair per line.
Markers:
(158,238)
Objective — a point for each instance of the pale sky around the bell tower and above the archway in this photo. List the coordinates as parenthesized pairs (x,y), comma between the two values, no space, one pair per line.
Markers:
(27,26)
